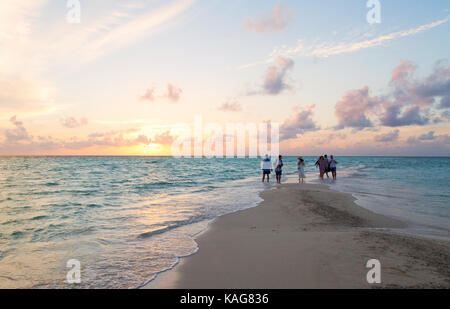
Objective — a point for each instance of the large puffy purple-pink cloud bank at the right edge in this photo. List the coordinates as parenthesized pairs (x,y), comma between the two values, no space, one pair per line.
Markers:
(409,101)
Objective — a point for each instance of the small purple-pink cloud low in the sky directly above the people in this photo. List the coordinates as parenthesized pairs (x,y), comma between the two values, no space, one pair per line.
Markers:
(299,123)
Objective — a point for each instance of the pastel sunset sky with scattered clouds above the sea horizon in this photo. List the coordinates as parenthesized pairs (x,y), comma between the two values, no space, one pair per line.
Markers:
(126,77)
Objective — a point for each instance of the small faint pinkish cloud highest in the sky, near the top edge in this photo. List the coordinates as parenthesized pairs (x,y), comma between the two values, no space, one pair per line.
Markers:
(277,21)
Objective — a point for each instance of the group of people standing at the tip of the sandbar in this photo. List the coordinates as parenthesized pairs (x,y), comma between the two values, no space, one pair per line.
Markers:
(324,165)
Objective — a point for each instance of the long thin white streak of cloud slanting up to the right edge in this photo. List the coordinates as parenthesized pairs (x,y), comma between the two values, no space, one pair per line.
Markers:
(327,49)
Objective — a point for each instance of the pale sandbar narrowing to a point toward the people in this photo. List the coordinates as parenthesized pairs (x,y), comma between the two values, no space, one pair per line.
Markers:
(308,236)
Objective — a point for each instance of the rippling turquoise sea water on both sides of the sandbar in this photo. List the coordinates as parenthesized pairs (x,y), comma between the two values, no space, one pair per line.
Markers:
(127,218)
